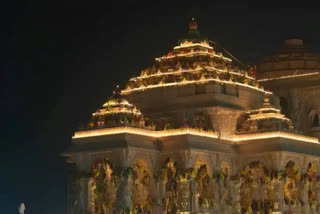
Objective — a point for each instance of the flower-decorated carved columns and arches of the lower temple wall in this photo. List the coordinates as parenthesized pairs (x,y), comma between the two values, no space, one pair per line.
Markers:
(254,188)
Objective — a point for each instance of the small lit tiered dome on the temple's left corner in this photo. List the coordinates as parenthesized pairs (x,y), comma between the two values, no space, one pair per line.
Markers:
(117,111)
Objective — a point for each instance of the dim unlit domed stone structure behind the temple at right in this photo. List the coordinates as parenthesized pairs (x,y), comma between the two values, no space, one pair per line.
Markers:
(293,74)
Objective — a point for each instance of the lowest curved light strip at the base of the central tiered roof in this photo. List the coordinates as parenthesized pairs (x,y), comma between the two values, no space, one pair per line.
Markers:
(187,82)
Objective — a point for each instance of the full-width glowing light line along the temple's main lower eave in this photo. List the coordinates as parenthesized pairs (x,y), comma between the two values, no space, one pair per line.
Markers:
(195,132)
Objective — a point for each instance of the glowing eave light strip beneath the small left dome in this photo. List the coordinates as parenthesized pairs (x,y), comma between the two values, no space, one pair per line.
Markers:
(144,132)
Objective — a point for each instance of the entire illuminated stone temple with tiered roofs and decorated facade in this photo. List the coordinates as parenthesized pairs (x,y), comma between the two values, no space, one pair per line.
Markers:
(196,133)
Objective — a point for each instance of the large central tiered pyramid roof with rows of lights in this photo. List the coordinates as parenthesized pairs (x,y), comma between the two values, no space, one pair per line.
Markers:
(193,61)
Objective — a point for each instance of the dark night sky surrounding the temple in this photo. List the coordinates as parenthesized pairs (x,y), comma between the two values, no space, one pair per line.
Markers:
(61,61)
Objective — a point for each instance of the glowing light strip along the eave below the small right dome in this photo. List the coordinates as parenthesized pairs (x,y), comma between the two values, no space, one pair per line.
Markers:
(275,134)
